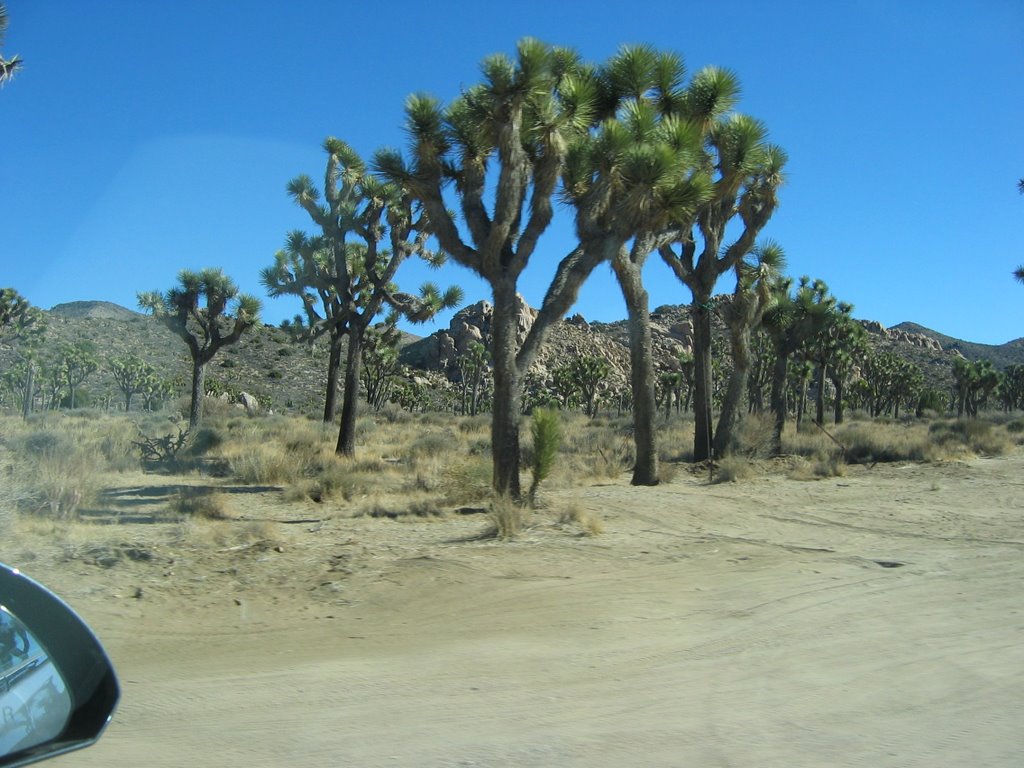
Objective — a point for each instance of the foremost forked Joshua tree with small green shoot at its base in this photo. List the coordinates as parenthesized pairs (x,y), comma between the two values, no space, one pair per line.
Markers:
(522,120)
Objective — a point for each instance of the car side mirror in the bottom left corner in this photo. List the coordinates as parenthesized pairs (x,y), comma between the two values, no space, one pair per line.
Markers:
(58,688)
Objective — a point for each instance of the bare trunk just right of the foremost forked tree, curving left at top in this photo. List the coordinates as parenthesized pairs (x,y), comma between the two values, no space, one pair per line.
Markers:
(642,371)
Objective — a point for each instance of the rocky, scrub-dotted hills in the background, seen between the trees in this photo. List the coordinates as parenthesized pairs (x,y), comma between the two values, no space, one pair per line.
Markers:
(290,376)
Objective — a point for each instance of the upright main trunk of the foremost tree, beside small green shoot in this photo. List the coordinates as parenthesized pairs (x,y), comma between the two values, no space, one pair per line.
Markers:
(505,414)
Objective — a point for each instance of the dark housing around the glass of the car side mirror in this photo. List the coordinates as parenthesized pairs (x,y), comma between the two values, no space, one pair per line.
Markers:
(77,658)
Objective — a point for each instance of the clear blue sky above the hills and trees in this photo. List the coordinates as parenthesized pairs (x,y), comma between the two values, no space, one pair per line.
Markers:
(145,138)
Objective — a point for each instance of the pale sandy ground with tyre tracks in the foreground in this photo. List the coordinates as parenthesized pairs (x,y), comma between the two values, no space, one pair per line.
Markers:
(871,620)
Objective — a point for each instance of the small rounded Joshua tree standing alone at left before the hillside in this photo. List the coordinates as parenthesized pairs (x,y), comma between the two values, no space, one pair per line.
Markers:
(207,312)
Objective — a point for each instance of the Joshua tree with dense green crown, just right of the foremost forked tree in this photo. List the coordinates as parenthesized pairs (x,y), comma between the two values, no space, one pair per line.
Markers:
(634,182)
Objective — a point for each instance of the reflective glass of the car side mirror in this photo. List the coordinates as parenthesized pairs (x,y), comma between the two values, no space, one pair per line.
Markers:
(35,704)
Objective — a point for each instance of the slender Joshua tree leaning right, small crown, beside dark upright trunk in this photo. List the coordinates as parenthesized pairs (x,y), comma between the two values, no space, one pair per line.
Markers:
(756,277)
